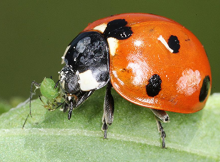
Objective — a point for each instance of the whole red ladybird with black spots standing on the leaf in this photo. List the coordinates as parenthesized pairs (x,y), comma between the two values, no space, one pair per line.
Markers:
(149,60)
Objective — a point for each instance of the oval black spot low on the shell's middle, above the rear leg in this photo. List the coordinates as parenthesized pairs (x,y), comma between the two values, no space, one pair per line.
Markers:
(154,85)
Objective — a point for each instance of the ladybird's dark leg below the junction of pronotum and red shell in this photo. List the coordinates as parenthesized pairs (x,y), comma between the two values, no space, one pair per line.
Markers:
(108,113)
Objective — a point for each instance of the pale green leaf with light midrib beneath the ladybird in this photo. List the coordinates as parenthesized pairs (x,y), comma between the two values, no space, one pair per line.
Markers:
(133,136)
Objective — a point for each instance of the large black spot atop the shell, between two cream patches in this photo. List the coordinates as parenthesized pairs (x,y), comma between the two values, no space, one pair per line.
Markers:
(118,29)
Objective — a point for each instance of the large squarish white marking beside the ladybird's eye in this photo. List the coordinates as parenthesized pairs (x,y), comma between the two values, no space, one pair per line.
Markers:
(87,81)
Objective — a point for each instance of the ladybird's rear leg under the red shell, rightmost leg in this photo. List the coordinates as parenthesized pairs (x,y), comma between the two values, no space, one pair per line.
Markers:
(163,116)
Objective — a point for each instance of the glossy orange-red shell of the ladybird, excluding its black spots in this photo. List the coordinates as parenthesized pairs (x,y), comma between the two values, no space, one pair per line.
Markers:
(140,56)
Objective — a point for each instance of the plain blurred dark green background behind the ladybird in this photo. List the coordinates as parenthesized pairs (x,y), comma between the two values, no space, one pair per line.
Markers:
(34,34)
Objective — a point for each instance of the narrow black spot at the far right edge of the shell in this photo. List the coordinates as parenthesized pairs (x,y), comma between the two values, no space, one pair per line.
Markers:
(204,89)
